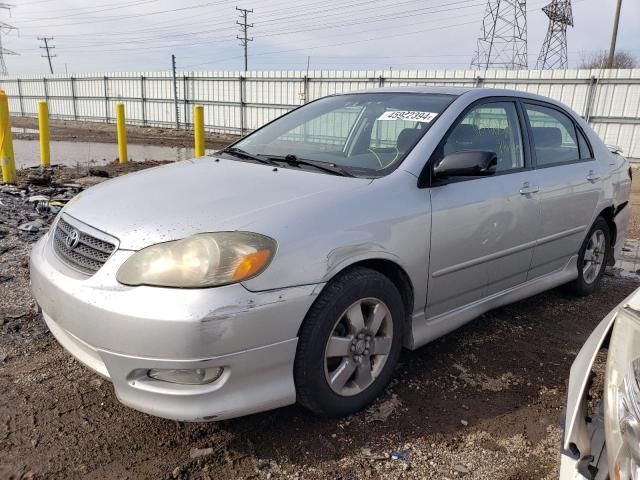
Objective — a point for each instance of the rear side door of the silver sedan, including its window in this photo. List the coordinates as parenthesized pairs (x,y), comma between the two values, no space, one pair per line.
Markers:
(569,185)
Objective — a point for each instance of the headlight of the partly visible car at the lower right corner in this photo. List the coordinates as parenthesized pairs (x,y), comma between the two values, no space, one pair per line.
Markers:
(622,398)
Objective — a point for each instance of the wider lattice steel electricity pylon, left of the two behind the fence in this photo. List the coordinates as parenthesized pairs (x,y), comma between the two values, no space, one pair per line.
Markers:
(503,40)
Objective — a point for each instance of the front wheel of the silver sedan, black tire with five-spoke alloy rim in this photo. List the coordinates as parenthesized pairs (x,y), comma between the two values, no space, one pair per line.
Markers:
(349,343)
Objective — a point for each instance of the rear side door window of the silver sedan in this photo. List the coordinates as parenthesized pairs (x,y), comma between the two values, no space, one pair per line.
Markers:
(554,135)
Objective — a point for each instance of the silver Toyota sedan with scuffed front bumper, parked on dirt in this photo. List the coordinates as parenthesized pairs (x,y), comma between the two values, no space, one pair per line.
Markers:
(297,263)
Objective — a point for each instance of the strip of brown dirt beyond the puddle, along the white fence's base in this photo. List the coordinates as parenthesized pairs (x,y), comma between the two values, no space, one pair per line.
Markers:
(106,132)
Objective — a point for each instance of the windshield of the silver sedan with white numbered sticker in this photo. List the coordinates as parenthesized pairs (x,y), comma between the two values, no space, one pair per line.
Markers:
(361,133)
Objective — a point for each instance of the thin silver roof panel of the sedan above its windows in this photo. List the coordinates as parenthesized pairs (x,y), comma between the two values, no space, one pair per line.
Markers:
(471,93)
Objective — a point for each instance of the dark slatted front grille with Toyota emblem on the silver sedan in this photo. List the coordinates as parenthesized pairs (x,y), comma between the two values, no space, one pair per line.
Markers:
(88,255)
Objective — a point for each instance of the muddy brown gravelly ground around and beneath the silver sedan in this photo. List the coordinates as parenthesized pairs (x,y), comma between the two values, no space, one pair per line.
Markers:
(481,403)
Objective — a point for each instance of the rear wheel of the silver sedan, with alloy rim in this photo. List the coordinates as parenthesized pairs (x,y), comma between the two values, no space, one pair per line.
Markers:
(592,259)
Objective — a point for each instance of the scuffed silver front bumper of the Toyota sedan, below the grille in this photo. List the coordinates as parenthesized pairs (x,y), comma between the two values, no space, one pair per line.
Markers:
(121,332)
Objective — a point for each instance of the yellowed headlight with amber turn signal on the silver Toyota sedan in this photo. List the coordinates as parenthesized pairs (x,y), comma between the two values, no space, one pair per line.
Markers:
(204,260)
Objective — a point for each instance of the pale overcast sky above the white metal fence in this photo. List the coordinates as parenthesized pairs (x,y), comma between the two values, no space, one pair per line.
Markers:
(141,35)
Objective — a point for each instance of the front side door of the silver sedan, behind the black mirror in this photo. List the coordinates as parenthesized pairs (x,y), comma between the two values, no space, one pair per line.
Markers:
(483,228)
